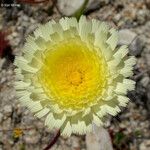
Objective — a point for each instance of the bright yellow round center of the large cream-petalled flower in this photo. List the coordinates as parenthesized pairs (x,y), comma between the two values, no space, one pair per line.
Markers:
(73,75)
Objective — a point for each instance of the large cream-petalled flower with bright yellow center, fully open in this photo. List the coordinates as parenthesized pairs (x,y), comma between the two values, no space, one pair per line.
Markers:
(73,74)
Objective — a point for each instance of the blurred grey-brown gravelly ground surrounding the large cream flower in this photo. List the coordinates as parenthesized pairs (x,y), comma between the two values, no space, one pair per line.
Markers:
(19,129)
